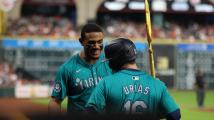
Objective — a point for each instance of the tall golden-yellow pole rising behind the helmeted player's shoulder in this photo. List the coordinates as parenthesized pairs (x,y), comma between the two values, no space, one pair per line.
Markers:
(149,38)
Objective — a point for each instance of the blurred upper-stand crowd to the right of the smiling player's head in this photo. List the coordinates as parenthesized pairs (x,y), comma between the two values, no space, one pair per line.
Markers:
(192,33)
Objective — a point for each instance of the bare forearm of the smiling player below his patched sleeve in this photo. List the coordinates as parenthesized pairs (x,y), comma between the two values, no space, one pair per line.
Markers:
(54,106)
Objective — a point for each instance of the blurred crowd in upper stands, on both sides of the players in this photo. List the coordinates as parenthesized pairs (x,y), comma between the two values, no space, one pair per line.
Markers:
(58,27)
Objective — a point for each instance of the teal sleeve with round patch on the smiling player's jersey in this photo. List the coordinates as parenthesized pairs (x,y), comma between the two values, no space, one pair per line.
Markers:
(59,90)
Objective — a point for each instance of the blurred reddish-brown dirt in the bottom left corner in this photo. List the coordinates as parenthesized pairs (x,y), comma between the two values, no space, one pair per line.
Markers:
(20,109)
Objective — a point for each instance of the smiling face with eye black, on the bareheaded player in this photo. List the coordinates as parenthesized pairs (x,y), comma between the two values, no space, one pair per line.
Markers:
(93,44)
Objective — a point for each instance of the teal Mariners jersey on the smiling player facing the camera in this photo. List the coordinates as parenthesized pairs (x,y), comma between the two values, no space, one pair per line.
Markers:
(76,79)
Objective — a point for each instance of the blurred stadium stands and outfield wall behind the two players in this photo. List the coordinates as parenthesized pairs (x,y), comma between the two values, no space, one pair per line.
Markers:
(37,36)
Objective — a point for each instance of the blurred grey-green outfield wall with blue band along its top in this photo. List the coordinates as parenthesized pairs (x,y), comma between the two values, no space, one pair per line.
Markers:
(175,63)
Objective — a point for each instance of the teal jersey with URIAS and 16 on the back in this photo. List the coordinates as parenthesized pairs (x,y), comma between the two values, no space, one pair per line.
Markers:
(131,91)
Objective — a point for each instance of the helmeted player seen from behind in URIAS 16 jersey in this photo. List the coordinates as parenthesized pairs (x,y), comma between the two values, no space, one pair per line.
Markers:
(130,90)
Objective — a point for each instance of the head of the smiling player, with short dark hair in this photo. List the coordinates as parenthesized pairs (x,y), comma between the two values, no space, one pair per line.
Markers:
(92,40)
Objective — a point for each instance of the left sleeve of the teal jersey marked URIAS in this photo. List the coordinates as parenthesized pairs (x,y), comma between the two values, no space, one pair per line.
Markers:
(97,99)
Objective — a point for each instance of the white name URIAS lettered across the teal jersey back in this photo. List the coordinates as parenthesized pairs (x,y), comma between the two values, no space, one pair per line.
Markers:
(135,89)
